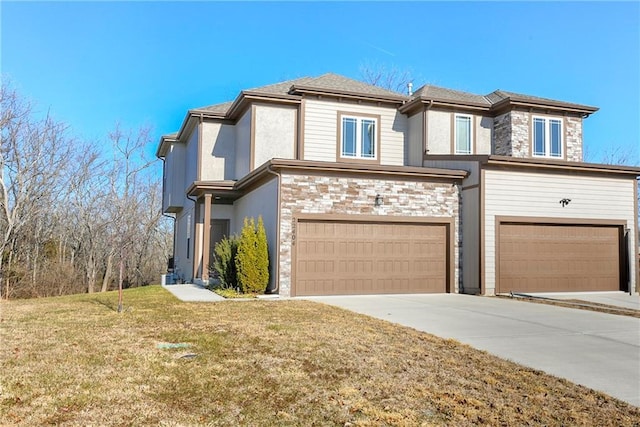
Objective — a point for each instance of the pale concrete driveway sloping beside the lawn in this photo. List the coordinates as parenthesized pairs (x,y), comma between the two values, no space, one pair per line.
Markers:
(597,350)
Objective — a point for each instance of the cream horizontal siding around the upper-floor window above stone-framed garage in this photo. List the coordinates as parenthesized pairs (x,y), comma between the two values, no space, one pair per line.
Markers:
(321,130)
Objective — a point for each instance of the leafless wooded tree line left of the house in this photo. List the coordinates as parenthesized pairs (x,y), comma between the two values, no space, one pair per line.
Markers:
(75,216)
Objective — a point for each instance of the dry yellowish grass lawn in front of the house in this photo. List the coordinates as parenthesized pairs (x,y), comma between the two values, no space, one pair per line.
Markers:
(76,361)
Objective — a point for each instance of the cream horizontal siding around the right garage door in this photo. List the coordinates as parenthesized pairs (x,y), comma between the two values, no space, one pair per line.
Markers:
(538,195)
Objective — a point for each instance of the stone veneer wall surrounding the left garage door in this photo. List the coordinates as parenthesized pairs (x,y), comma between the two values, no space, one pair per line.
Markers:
(303,194)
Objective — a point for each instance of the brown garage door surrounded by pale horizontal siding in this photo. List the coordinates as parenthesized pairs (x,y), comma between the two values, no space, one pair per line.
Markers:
(558,258)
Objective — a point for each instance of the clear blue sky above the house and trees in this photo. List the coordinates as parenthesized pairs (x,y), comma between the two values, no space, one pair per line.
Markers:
(93,64)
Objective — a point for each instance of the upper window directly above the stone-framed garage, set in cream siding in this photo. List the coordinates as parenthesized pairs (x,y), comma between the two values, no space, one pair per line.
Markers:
(358,139)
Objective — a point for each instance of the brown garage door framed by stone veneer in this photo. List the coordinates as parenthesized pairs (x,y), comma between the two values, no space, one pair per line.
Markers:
(348,257)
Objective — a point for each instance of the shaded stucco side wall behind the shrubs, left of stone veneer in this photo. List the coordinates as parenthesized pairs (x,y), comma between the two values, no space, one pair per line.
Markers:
(263,201)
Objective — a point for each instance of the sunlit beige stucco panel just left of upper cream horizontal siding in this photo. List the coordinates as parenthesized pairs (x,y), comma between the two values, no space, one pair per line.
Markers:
(275,133)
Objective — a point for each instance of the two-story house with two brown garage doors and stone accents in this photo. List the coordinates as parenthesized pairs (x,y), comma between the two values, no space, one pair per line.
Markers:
(364,190)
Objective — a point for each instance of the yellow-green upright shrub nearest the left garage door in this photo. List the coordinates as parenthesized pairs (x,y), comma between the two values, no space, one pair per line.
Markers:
(252,260)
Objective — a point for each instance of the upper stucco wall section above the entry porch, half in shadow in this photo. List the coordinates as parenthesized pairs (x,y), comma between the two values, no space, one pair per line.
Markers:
(218,151)
